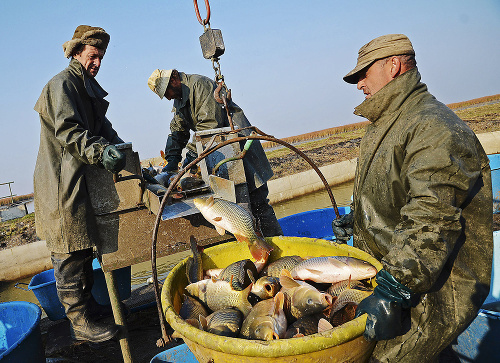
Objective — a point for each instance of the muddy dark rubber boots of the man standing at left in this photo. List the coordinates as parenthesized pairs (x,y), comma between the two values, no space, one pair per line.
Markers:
(74,285)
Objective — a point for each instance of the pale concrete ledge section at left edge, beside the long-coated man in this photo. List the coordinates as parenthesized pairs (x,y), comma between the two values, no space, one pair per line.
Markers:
(24,261)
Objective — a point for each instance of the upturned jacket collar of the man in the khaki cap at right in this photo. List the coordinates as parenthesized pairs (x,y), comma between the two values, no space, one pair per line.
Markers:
(390,97)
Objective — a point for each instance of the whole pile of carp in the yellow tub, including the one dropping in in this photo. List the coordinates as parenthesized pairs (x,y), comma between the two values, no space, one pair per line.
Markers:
(267,301)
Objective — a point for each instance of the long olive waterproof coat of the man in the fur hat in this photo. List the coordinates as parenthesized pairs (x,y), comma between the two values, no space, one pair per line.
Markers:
(74,132)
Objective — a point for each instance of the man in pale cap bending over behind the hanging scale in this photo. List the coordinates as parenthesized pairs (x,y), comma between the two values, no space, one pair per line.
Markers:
(195,108)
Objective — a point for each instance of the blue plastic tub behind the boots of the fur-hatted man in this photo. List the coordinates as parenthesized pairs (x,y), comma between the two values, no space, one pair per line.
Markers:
(43,286)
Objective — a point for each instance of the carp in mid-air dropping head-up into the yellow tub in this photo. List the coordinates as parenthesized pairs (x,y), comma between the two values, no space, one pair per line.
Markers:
(231,217)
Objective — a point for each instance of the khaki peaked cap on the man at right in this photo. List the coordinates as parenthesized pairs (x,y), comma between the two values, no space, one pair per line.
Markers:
(379,48)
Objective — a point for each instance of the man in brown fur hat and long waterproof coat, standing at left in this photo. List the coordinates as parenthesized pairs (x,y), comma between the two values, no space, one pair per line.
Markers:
(75,135)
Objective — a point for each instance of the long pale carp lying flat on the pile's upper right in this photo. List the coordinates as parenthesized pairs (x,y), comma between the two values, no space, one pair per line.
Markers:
(333,269)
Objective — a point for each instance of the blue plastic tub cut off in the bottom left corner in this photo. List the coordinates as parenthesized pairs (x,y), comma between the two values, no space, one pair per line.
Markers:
(20,337)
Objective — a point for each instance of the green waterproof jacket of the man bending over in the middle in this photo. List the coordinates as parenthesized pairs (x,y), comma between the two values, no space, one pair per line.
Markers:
(198,110)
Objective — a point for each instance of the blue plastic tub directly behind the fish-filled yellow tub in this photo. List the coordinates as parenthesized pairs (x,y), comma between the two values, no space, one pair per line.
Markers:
(316,223)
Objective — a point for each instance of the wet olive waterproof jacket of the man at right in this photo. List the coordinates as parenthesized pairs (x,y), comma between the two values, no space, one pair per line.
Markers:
(423,207)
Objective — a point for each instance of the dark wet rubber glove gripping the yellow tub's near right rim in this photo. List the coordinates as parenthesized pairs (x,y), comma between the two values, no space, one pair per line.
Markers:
(385,308)
